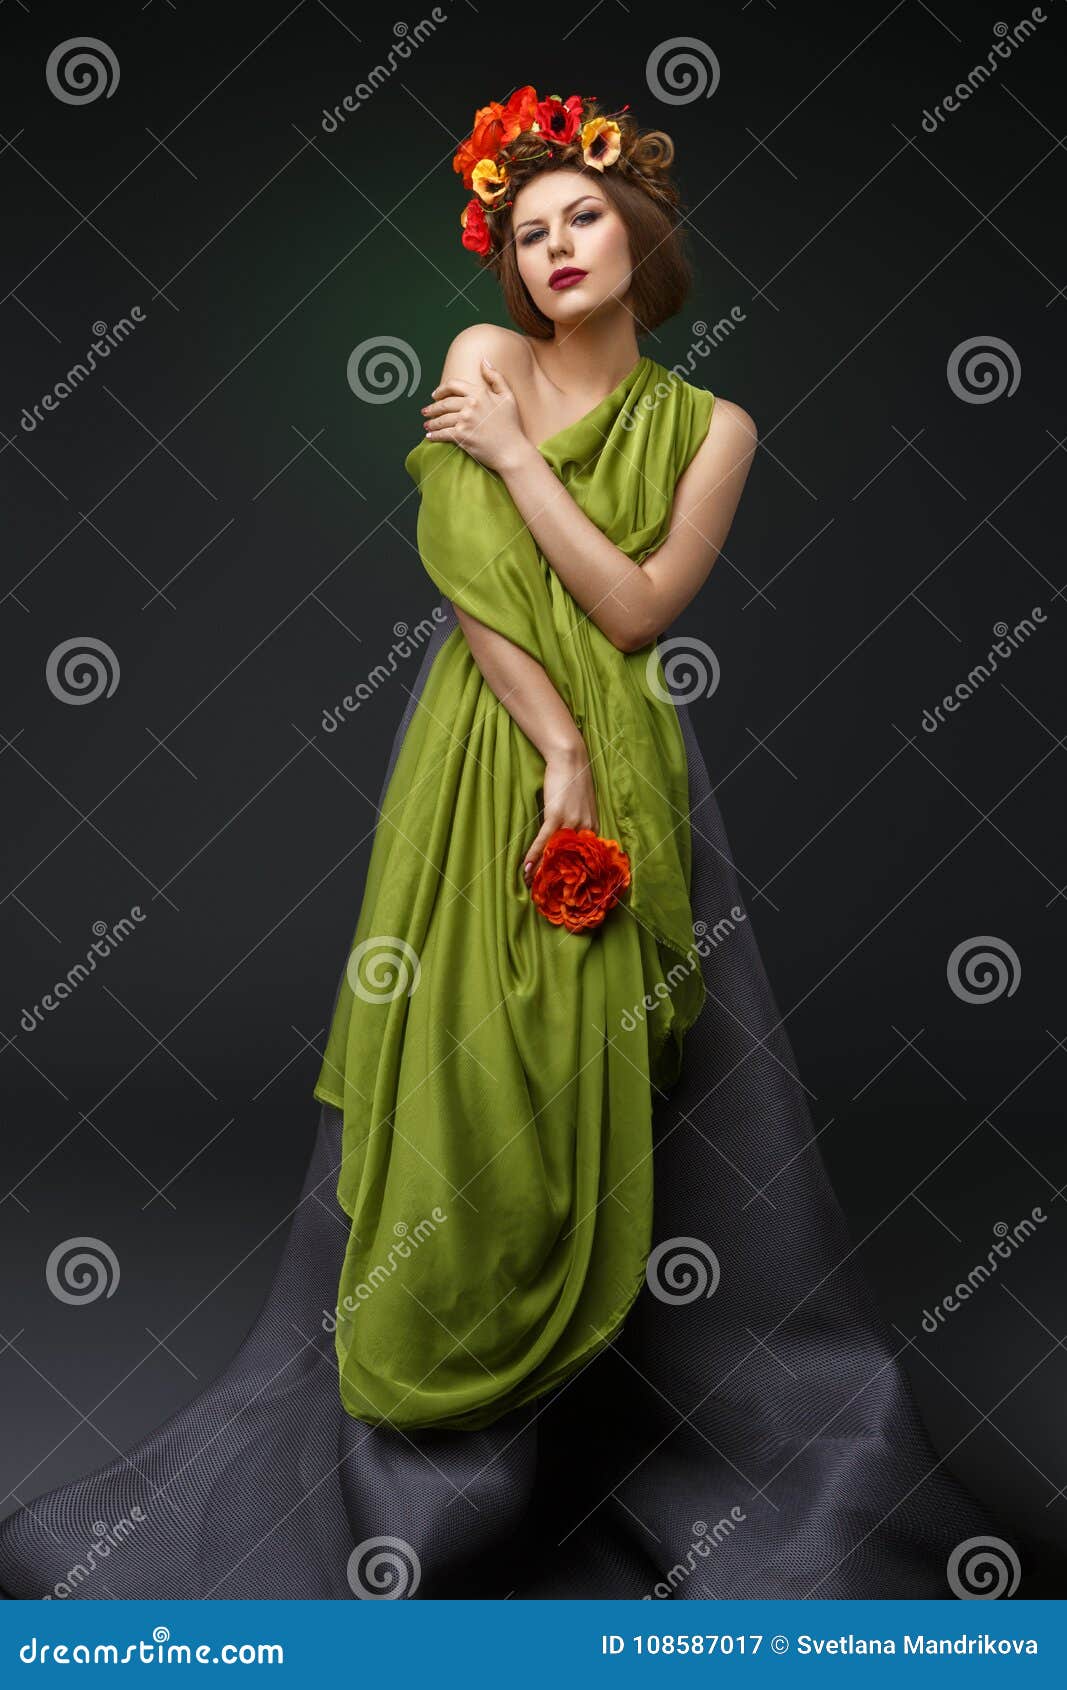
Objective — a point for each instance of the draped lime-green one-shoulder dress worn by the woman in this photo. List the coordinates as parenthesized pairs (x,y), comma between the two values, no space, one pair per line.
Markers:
(496,1072)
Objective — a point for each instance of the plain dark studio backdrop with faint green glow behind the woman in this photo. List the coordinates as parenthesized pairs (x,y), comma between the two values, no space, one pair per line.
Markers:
(222,511)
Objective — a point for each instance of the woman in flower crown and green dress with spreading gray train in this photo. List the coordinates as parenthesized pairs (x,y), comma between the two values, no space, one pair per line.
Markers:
(589,1299)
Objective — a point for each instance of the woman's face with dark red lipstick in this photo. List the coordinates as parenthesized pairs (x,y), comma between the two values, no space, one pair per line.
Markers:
(564,221)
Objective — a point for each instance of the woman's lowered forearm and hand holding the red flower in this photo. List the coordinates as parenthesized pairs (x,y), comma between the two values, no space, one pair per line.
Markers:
(525,690)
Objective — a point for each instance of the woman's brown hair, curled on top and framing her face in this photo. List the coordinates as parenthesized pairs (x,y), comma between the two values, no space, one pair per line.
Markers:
(640,190)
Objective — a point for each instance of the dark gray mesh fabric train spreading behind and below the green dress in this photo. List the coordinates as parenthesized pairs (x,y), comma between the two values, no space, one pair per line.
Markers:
(753,1442)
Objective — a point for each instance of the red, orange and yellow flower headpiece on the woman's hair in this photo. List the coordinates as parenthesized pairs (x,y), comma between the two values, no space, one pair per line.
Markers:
(483,158)
